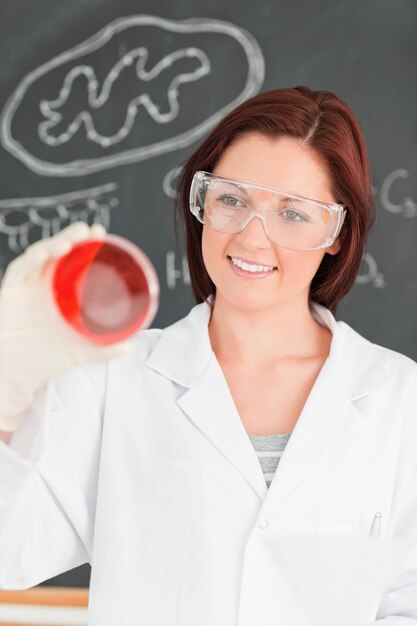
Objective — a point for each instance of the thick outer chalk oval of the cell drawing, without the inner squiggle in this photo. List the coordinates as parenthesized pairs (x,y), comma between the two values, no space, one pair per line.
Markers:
(83,167)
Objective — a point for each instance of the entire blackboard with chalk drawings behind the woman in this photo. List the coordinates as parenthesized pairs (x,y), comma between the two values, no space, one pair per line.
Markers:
(103,100)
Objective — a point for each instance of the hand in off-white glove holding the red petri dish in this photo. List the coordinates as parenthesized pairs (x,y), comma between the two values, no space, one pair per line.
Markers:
(36,344)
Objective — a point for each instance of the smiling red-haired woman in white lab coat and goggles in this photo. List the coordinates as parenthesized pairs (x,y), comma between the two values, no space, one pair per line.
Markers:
(143,466)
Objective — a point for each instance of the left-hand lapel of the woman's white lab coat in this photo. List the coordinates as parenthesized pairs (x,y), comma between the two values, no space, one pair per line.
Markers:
(184,355)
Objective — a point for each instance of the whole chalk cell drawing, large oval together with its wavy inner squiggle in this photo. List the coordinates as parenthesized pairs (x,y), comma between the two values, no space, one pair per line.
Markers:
(184,65)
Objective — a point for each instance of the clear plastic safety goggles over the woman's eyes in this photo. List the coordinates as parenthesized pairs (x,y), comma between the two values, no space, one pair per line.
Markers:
(290,221)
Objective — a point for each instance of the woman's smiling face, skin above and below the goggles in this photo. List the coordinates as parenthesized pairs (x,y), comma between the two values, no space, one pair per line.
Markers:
(284,164)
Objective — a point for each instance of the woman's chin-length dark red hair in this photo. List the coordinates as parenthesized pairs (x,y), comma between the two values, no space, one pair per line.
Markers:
(326,124)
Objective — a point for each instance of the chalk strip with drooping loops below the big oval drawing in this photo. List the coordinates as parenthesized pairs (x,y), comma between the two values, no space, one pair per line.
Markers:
(57,201)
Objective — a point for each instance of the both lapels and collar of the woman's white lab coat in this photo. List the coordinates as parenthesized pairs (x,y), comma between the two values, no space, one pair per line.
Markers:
(353,369)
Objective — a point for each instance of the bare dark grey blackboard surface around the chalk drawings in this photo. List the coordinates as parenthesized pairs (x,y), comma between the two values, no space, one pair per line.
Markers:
(363,50)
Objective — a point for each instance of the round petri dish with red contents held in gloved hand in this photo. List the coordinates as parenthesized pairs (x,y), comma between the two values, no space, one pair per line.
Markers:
(104,291)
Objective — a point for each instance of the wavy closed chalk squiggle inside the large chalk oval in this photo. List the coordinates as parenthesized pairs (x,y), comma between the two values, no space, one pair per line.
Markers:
(96,101)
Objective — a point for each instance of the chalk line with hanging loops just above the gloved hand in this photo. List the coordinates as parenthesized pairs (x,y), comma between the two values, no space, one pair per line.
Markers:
(18,216)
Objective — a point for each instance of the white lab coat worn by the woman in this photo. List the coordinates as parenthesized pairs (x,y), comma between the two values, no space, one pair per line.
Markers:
(143,468)
